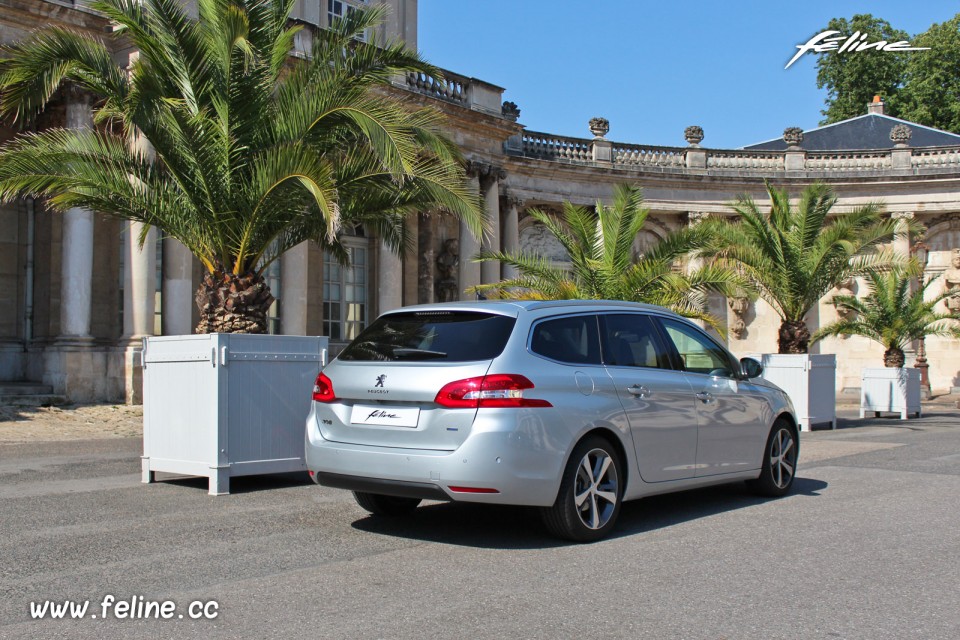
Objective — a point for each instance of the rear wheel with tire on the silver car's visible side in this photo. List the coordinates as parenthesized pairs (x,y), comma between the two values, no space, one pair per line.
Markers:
(591,492)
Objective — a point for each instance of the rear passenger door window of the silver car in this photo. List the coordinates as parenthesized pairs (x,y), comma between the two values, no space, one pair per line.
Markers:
(630,340)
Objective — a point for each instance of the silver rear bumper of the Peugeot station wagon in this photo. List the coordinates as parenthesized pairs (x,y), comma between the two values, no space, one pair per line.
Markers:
(523,470)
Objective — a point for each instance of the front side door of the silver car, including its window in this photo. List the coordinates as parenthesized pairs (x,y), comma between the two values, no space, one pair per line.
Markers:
(732,416)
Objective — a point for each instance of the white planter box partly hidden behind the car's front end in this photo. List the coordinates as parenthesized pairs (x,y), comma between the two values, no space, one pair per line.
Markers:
(809,380)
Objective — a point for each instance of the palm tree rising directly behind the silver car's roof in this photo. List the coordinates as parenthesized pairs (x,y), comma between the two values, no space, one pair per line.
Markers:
(602,265)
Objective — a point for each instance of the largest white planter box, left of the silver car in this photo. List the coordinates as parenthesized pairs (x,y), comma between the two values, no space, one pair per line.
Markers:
(225,405)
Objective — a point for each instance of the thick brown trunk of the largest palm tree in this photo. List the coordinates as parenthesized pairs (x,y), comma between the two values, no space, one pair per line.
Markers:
(230,303)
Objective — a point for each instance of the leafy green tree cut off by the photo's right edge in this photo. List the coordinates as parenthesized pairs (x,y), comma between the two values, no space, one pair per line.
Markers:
(931,84)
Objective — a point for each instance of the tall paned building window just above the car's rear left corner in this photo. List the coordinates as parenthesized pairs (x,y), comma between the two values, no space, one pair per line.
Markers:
(345,292)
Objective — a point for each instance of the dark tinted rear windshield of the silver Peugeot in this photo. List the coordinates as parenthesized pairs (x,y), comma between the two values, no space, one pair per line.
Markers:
(445,336)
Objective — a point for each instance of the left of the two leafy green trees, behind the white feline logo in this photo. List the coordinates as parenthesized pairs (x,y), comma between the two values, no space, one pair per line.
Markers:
(852,79)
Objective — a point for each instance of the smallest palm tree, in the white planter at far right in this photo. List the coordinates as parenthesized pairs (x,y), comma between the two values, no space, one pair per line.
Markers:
(893,314)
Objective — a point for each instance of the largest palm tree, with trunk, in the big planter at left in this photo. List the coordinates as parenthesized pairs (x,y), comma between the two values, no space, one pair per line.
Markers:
(255,151)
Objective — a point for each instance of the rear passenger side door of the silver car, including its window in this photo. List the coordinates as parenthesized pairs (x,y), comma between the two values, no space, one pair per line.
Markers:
(657,399)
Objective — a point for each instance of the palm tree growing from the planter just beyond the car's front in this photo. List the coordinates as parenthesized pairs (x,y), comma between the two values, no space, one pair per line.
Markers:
(794,256)
